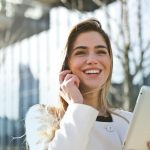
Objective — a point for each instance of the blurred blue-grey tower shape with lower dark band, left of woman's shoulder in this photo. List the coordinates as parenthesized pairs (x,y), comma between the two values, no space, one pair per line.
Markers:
(12,131)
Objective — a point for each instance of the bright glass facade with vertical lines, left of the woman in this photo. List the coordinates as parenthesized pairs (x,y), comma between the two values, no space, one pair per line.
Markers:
(27,75)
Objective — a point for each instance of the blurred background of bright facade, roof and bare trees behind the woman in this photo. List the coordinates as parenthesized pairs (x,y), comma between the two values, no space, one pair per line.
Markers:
(32,35)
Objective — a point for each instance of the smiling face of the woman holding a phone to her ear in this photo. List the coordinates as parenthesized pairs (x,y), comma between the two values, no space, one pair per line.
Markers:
(90,60)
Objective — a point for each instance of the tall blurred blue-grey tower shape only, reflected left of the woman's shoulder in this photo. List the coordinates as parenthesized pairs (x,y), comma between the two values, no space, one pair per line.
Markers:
(28,90)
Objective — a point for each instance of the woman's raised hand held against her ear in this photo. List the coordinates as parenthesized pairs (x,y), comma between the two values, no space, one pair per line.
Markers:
(69,87)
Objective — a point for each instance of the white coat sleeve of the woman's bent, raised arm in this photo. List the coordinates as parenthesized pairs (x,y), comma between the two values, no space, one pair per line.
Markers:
(73,133)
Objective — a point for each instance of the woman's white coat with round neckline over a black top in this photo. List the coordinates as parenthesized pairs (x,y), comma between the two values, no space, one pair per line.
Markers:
(79,129)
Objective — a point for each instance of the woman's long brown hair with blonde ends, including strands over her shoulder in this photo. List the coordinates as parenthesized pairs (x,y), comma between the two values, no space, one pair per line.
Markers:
(82,27)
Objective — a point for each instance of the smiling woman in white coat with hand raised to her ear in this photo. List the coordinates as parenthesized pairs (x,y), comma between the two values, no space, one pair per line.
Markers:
(84,120)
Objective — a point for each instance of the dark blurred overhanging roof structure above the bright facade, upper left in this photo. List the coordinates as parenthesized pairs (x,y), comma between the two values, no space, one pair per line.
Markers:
(32,16)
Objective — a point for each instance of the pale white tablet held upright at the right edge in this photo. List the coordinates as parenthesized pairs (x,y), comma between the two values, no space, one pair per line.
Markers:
(139,128)
